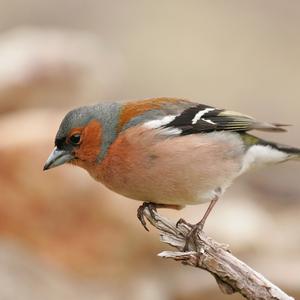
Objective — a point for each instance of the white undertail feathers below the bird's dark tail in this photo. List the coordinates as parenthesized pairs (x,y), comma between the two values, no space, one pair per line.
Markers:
(258,155)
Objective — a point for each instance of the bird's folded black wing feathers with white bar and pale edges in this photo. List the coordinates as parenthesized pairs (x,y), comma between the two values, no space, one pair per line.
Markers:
(203,118)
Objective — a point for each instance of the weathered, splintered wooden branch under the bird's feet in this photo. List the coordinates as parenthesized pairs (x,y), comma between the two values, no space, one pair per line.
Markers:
(231,274)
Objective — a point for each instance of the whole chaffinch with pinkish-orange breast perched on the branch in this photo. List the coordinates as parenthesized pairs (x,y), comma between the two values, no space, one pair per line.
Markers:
(166,152)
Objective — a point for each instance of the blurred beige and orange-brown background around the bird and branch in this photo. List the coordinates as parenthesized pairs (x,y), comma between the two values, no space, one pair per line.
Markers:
(63,236)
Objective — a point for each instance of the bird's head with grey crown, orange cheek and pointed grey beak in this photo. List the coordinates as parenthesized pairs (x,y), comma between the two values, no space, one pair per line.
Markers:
(78,139)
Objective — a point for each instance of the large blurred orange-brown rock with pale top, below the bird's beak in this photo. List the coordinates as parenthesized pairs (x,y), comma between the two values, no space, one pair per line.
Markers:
(62,214)
